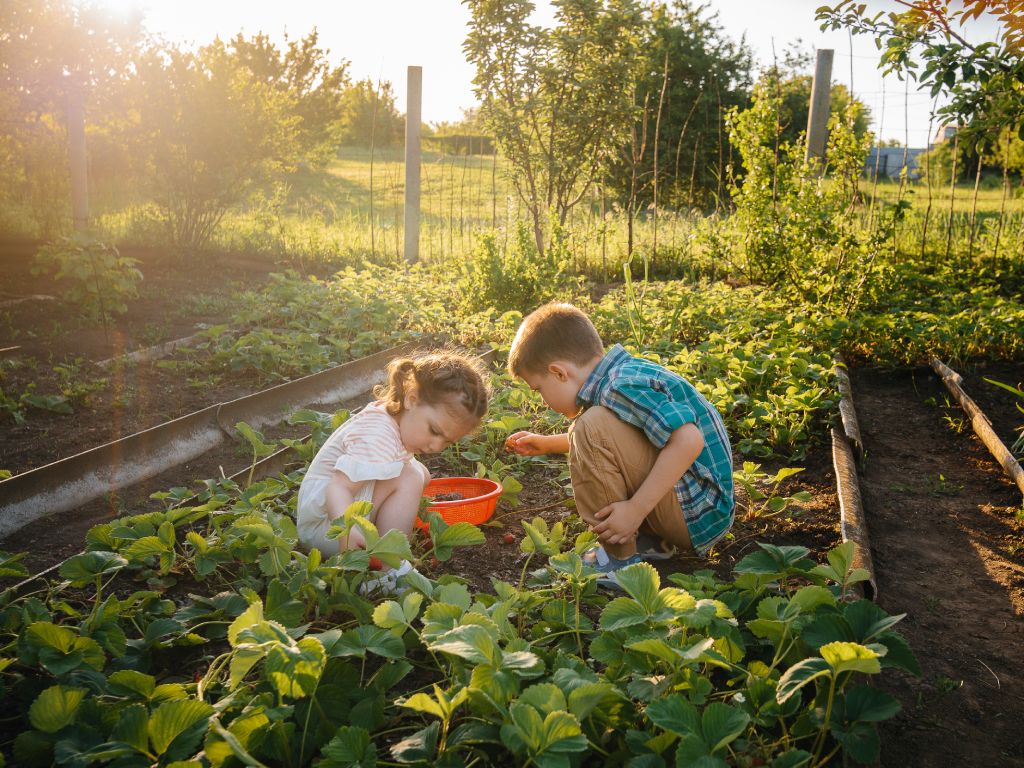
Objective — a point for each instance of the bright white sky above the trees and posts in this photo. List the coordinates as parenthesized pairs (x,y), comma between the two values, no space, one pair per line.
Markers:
(381,38)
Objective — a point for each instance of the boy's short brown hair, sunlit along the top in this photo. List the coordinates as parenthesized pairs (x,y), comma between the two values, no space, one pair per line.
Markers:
(553,332)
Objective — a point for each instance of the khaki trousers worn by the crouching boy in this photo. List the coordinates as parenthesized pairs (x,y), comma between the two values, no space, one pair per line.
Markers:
(609,461)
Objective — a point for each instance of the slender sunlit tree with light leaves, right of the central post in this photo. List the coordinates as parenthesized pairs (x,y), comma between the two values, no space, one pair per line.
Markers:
(558,101)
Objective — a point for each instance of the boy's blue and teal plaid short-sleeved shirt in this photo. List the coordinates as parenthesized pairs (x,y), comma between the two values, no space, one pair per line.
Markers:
(659,402)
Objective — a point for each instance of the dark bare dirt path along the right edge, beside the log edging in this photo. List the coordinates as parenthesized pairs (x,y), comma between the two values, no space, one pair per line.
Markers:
(948,548)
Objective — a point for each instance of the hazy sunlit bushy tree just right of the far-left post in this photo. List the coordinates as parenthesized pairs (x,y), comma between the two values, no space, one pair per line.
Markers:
(209,134)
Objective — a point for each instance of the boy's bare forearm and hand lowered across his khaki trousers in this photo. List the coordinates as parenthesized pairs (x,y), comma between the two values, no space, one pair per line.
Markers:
(621,521)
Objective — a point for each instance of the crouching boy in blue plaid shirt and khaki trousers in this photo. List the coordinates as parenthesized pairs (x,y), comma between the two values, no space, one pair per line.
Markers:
(650,458)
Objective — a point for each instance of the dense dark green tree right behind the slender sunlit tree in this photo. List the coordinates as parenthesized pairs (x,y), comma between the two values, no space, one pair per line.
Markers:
(702,73)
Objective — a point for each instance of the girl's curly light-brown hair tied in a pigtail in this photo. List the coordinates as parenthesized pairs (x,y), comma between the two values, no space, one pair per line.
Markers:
(439,378)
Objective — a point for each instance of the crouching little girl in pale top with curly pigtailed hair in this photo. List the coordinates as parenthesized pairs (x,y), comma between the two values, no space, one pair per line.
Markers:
(430,402)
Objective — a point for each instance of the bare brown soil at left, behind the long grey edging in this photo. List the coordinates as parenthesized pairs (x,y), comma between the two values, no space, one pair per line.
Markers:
(126,399)
